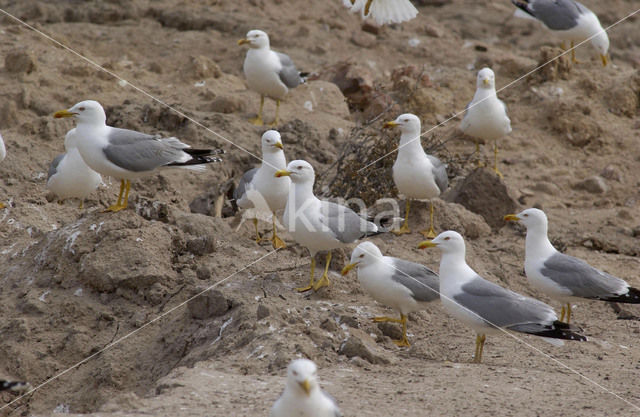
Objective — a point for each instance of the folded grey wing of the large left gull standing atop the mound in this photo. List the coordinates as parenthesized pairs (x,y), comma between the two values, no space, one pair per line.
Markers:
(139,152)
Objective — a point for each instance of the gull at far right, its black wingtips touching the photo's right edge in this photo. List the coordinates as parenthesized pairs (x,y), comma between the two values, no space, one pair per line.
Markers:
(563,277)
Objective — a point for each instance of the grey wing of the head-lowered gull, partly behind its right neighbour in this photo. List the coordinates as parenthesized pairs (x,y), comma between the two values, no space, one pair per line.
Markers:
(423,282)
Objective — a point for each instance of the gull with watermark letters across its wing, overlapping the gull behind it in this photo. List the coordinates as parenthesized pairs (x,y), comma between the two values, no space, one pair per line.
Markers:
(316,224)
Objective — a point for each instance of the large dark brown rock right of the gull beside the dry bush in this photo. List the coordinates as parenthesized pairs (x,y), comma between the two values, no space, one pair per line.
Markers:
(483,192)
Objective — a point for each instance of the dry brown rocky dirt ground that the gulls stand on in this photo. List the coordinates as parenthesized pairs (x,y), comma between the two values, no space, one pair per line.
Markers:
(73,281)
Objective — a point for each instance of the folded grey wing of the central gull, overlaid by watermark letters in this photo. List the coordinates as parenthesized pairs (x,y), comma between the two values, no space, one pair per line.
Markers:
(346,225)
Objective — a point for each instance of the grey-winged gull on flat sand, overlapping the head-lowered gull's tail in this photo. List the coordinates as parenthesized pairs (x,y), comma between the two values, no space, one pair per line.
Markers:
(487,307)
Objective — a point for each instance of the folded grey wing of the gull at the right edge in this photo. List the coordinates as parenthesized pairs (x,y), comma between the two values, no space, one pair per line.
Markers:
(580,278)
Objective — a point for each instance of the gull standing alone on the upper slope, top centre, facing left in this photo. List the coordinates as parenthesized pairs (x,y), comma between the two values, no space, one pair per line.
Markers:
(268,72)
